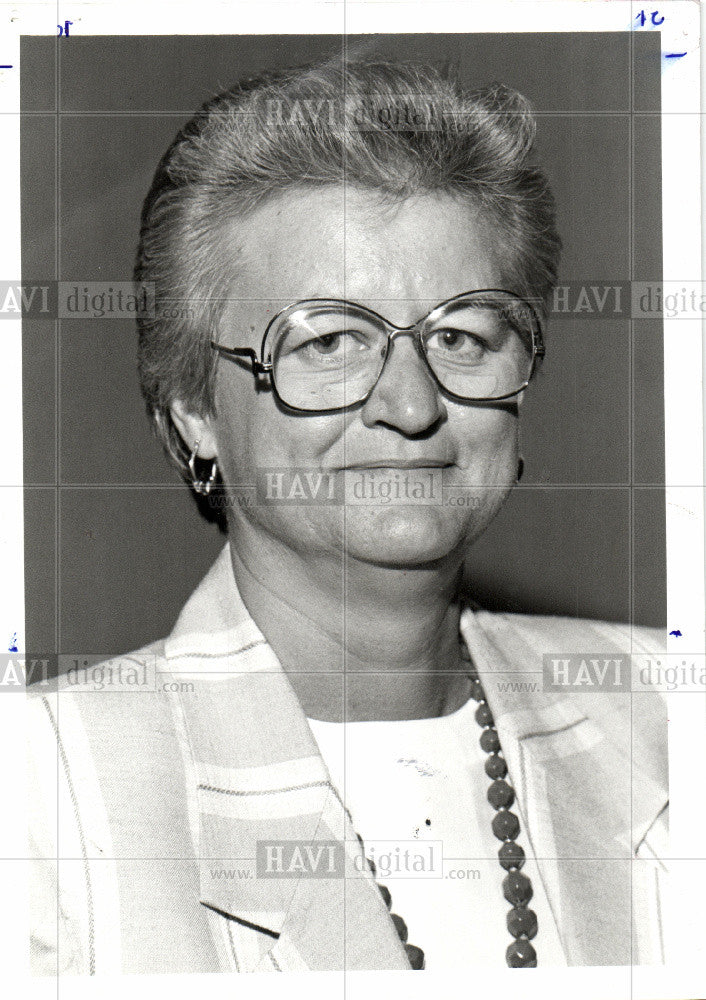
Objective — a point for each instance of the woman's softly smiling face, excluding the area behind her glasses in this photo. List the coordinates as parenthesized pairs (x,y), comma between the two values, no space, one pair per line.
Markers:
(401,261)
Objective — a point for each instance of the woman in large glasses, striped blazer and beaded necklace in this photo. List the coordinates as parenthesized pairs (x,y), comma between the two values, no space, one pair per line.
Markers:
(364,257)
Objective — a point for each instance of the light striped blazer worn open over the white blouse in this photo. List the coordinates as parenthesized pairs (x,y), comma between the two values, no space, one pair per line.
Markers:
(147,803)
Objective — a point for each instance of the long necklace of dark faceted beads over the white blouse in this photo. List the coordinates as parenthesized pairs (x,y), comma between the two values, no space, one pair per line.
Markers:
(517,887)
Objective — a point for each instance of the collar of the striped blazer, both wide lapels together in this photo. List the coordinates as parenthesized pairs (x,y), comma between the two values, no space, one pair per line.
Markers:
(260,777)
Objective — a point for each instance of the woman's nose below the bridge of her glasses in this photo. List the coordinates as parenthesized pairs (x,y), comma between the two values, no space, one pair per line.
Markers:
(406,395)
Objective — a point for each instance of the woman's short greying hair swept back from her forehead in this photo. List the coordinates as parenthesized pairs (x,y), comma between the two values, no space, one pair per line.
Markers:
(320,125)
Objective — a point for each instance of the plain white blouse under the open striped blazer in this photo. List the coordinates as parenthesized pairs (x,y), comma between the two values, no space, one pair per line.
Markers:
(424,780)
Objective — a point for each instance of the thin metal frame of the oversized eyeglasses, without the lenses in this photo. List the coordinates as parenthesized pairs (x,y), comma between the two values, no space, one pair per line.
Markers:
(262,367)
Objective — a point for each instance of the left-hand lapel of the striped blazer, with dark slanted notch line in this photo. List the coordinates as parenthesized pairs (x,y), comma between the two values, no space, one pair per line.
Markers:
(259,778)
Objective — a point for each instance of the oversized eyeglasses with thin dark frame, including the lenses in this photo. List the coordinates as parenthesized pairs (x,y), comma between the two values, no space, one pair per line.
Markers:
(328,354)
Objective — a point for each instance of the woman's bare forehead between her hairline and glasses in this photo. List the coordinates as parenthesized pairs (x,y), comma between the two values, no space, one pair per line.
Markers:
(344,243)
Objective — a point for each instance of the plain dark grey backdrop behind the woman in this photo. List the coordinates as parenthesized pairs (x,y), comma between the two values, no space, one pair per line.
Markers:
(113,548)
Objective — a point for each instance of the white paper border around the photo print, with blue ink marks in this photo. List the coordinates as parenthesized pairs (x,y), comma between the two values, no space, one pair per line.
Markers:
(684,977)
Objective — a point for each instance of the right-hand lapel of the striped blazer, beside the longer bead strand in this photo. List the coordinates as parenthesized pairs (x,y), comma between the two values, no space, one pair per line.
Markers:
(581,789)
